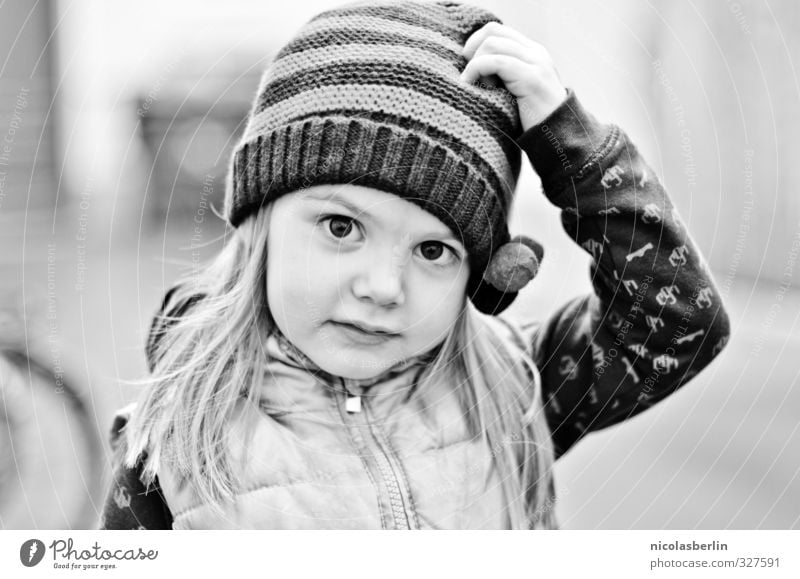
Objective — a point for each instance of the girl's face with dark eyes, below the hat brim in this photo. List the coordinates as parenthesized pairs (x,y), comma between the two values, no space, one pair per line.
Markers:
(346,256)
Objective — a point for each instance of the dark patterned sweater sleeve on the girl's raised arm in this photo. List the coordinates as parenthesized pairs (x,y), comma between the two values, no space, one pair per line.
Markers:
(655,318)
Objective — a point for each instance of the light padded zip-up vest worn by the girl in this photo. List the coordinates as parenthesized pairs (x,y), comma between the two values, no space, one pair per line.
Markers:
(317,461)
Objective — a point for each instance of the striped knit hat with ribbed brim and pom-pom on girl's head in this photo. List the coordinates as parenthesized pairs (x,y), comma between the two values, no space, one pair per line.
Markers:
(369,94)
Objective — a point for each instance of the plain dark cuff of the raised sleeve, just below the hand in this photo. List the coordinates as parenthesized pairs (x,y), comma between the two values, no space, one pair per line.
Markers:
(561,146)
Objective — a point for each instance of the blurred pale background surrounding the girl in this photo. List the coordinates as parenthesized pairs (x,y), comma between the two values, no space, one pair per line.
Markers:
(116,124)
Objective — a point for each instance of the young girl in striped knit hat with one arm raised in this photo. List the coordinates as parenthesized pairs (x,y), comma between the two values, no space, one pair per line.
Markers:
(343,363)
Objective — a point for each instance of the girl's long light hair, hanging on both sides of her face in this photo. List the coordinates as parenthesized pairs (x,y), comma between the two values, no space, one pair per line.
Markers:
(212,356)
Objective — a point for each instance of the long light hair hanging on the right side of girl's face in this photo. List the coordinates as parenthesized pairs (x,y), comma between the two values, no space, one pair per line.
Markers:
(498,387)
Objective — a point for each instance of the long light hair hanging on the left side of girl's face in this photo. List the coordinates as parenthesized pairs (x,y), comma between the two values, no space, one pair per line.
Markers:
(207,358)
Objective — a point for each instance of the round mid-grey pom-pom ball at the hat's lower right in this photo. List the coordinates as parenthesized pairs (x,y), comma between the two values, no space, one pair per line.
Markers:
(514,264)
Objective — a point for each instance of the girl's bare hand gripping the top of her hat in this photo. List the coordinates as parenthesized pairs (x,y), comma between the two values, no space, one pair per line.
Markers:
(524,66)
